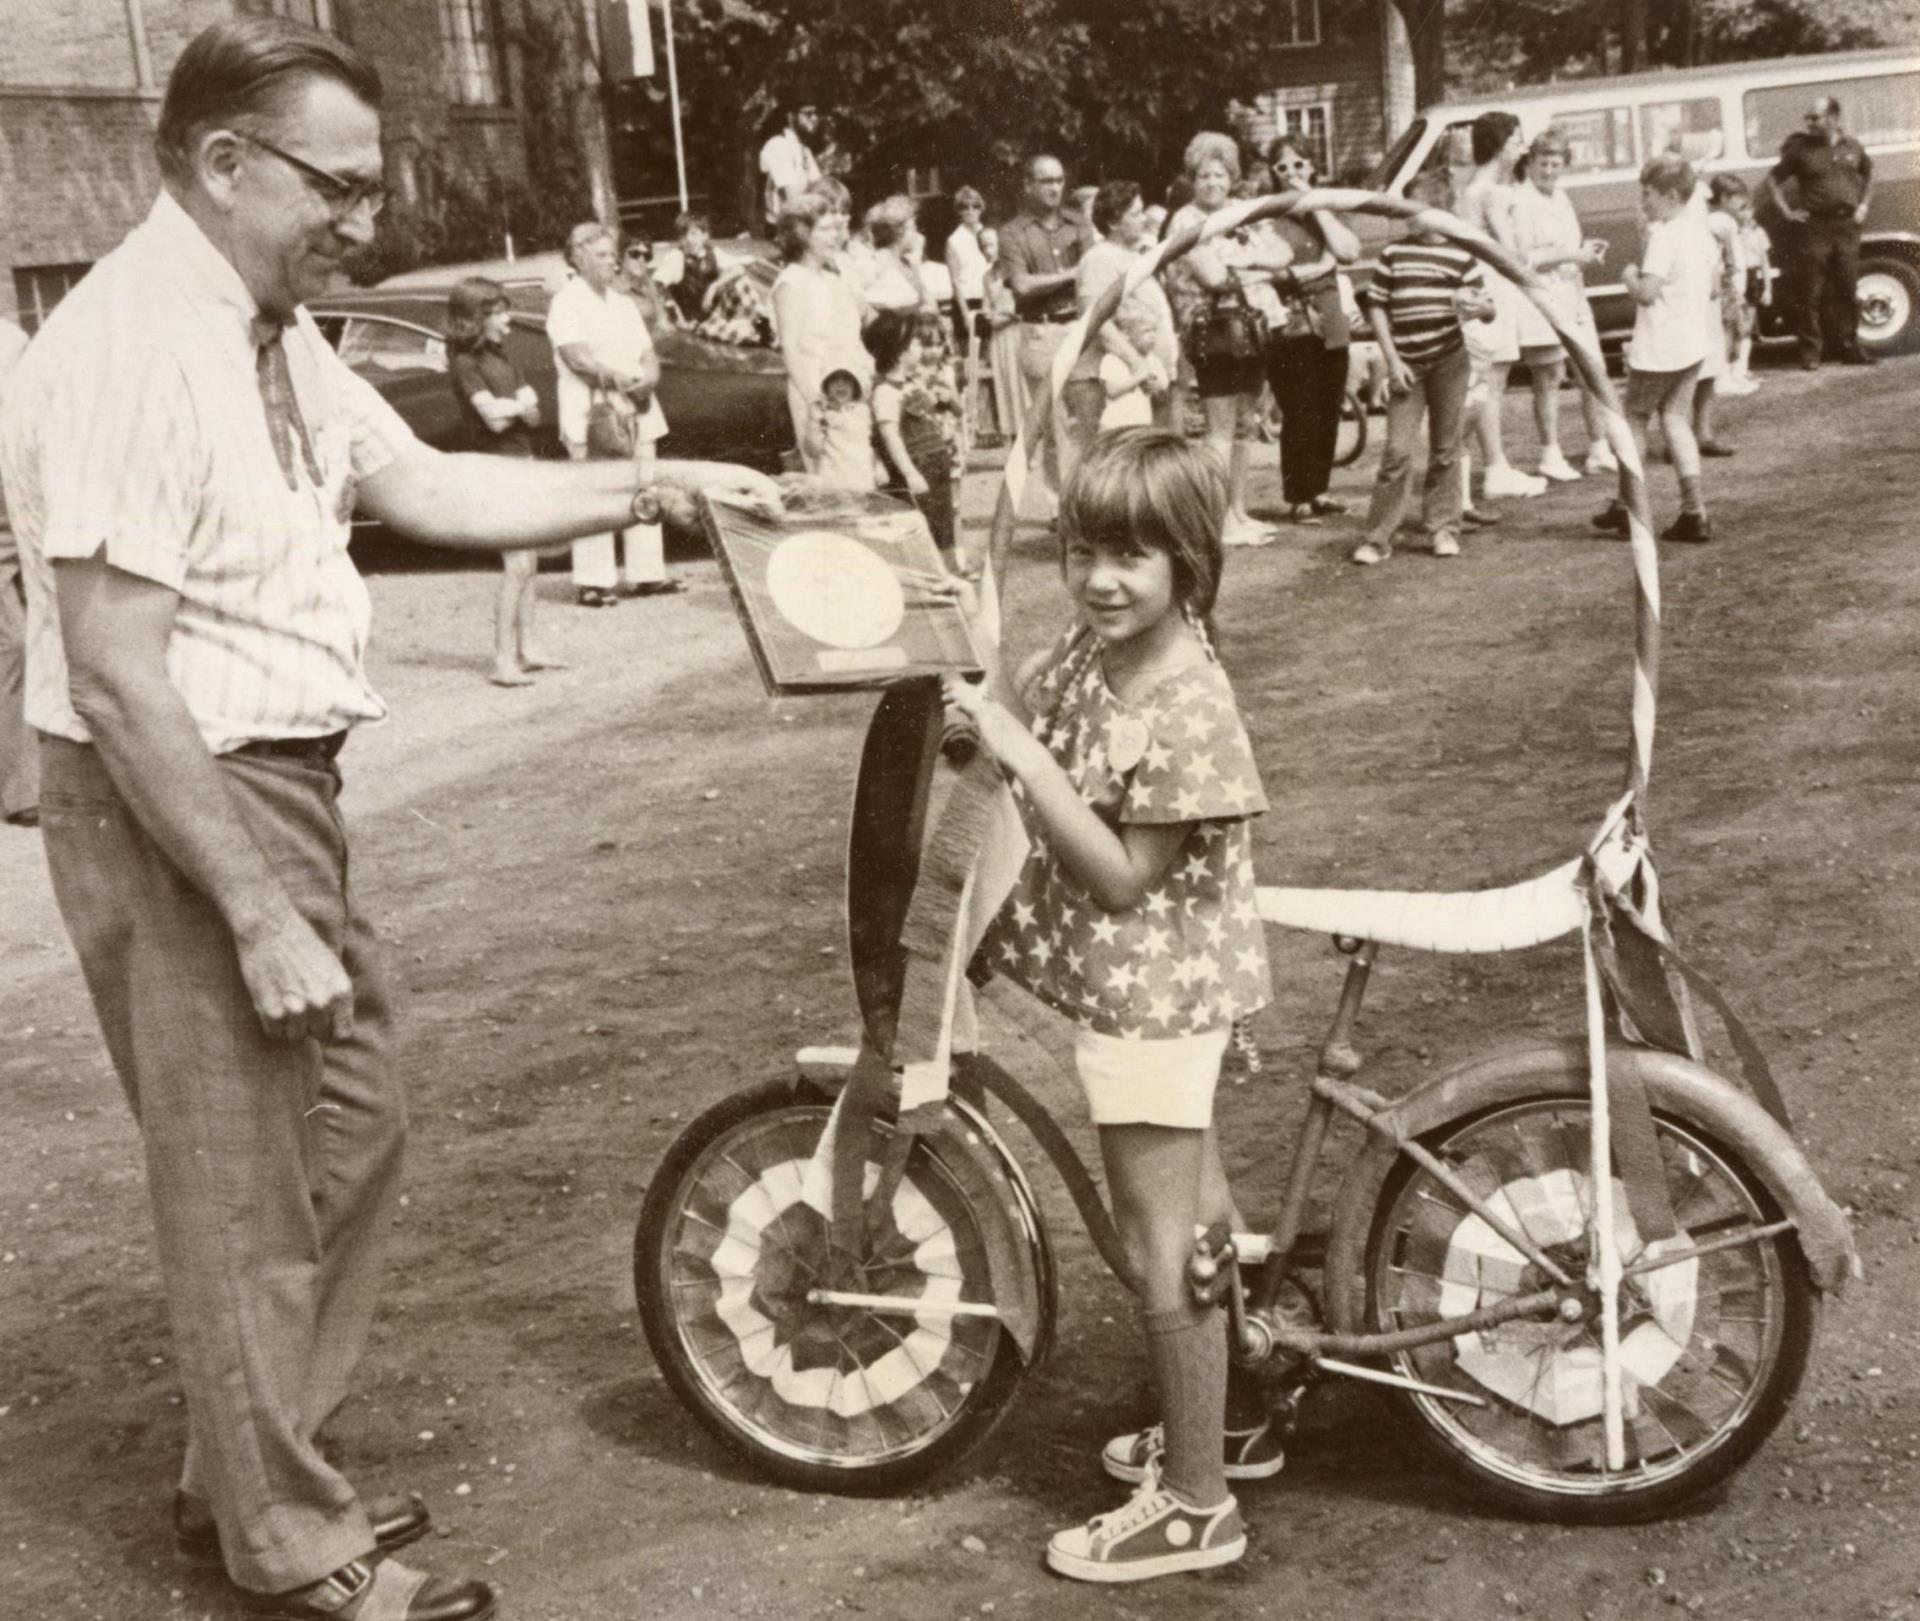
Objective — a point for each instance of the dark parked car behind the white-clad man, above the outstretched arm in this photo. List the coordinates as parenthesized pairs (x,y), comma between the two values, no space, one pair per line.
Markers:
(723,402)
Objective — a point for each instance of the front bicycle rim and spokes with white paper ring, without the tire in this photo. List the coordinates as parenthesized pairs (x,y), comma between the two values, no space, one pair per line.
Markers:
(823,1386)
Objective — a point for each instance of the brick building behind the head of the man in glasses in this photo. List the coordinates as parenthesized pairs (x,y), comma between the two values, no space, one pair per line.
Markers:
(80,97)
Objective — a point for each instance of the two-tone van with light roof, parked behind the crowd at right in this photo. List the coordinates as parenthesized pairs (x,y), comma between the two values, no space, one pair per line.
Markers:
(1727,118)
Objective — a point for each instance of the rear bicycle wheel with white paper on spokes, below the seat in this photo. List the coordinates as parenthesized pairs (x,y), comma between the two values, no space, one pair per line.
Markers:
(1714,1347)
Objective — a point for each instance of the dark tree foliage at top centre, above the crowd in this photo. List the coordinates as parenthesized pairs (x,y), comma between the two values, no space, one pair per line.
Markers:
(971,85)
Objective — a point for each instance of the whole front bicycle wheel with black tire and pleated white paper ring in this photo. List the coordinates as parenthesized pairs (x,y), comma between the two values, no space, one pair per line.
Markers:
(815,1395)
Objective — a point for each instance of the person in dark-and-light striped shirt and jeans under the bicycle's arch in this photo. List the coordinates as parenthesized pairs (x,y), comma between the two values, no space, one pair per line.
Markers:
(1416,304)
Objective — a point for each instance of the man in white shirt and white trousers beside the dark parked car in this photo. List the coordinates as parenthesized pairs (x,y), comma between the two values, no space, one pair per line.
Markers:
(602,351)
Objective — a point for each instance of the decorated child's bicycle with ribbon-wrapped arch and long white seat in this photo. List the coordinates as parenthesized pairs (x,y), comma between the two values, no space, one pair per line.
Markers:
(848,1276)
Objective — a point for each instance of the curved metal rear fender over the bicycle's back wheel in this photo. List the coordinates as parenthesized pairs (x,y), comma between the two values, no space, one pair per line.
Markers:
(1558,1069)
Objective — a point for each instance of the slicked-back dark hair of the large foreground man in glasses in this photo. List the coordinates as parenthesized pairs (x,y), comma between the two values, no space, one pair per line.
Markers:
(247,72)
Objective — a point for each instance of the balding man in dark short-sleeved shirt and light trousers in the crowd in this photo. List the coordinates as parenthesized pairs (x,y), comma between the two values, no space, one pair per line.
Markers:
(1040,256)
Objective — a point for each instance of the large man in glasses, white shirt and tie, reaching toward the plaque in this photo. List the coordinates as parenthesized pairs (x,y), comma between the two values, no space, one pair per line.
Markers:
(181,454)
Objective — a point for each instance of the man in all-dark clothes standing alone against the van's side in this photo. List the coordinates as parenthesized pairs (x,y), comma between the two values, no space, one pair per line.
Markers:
(1831,176)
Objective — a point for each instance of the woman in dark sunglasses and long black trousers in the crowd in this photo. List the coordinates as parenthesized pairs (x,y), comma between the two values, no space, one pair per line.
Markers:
(1307,356)
